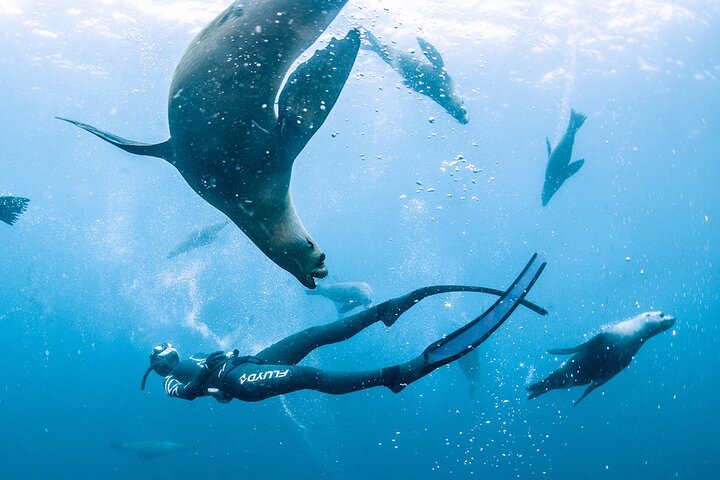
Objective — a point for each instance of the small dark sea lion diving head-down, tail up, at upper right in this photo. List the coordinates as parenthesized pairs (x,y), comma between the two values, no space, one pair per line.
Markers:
(559,167)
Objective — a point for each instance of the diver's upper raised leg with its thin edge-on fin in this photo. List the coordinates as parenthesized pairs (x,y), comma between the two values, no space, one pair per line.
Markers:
(294,348)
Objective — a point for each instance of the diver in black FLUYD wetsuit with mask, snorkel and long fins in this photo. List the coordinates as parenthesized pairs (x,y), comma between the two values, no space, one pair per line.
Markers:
(275,370)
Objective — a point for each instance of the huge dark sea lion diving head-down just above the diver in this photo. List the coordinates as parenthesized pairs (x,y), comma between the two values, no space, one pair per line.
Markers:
(225,137)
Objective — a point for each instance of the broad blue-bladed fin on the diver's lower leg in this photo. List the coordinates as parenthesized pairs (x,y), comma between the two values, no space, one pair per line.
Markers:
(468,337)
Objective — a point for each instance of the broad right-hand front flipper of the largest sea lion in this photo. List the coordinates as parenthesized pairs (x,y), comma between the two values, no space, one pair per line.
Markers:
(314,87)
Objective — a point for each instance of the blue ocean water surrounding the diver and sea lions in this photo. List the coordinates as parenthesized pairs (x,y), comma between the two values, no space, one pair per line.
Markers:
(398,195)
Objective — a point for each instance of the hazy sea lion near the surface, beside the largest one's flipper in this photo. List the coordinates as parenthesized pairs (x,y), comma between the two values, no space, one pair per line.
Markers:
(425,74)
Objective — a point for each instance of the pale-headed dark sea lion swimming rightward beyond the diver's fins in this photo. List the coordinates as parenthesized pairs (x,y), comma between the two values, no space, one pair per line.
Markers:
(603,356)
